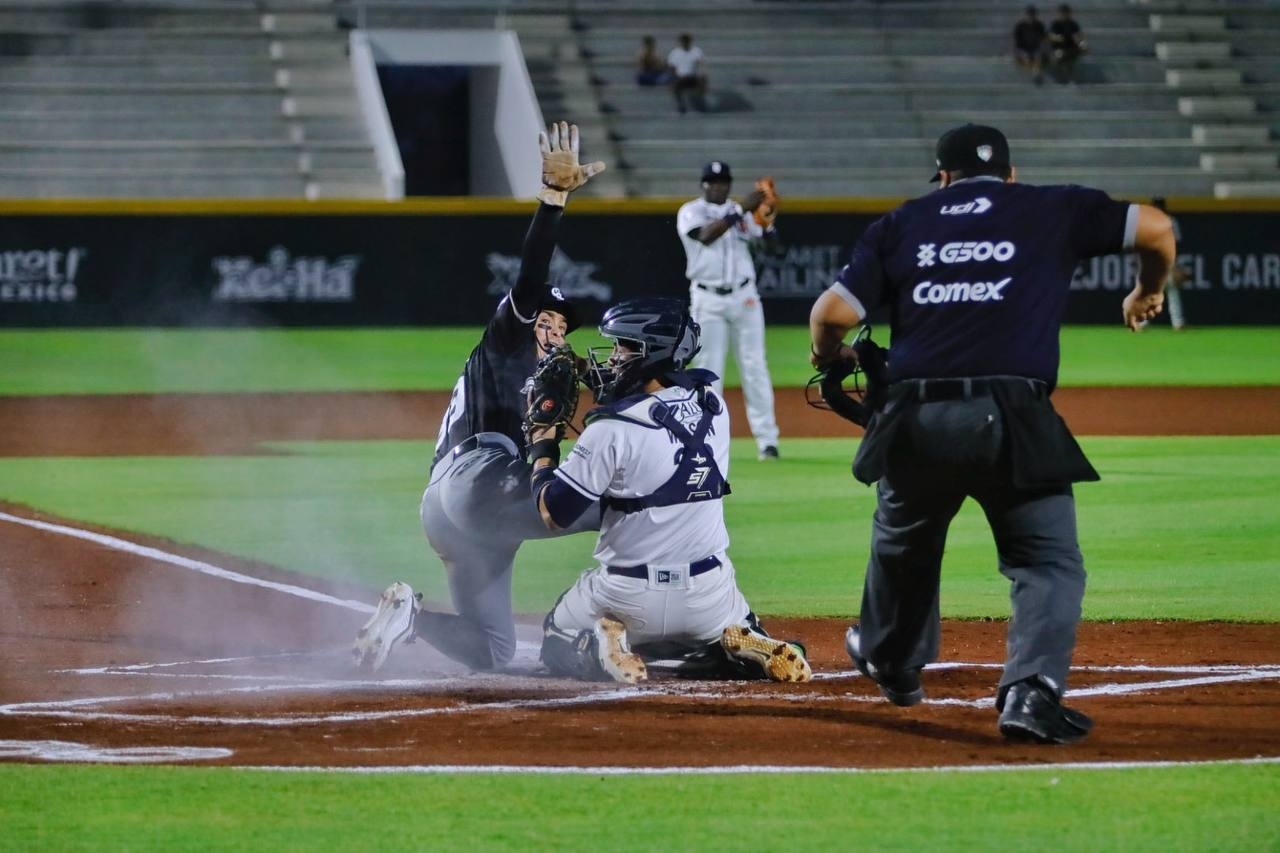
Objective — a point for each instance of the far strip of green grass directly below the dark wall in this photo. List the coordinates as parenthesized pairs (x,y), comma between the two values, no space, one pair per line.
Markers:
(159,361)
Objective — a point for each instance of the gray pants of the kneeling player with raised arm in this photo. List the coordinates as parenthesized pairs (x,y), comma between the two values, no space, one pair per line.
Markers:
(477,510)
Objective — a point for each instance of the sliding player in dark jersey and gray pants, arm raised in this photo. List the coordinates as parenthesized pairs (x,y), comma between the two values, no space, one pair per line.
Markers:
(476,509)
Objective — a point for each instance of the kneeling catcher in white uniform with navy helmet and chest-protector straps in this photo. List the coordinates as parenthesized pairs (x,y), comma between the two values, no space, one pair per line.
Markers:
(655,455)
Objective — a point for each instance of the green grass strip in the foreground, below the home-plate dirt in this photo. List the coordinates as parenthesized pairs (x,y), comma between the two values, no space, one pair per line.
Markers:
(58,809)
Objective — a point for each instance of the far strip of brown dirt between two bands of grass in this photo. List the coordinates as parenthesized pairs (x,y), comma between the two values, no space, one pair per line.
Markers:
(194,425)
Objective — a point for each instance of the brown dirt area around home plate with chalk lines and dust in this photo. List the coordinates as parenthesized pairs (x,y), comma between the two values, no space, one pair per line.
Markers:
(112,650)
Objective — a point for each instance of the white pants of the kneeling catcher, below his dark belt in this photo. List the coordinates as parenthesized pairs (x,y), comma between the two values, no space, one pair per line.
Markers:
(692,610)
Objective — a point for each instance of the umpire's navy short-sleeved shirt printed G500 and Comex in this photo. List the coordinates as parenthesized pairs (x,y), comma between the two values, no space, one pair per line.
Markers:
(977,275)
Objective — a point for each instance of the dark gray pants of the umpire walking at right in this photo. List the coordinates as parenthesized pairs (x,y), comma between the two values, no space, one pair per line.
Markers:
(948,451)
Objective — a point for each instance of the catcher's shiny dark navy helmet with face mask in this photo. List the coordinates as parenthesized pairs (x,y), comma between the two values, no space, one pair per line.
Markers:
(660,332)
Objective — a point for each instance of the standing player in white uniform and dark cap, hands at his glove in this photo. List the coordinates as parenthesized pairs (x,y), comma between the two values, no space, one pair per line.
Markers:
(717,232)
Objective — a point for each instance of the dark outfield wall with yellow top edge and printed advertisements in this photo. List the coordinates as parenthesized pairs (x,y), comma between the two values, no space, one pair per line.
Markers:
(447,262)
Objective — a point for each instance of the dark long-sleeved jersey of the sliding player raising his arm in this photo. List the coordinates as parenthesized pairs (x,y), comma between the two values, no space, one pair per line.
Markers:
(490,396)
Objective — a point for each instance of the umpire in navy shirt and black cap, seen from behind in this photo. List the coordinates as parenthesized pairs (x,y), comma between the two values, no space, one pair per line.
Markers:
(976,277)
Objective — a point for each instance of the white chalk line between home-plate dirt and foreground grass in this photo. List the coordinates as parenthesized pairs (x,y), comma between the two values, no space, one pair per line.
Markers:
(738,770)
